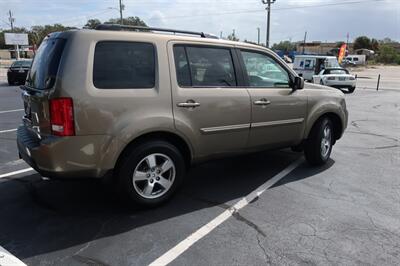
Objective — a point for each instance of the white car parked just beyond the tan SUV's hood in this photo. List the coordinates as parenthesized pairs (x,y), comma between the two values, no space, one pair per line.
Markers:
(336,77)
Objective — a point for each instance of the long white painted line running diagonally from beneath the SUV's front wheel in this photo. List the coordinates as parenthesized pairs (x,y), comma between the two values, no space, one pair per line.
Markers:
(181,247)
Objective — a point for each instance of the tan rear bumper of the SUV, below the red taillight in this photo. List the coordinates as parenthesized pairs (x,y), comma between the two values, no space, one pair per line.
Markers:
(65,157)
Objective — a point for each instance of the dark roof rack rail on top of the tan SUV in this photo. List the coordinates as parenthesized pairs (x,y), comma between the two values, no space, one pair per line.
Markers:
(119,27)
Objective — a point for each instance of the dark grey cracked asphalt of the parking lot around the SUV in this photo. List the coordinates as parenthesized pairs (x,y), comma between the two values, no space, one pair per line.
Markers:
(345,213)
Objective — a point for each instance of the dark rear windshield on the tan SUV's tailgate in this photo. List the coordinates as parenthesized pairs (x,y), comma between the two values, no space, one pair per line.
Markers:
(45,64)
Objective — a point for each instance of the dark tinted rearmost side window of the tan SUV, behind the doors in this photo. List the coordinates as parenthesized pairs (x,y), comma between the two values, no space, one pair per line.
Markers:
(119,65)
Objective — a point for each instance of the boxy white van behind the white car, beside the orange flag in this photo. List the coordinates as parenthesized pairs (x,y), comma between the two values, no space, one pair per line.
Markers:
(308,65)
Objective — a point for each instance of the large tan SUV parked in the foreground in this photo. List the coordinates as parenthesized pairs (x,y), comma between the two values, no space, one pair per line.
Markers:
(142,107)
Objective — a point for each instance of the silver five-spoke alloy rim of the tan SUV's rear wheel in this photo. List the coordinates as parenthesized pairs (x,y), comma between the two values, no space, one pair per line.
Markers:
(154,176)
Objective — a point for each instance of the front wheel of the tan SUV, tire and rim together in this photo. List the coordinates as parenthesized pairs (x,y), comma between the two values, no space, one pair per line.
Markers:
(319,144)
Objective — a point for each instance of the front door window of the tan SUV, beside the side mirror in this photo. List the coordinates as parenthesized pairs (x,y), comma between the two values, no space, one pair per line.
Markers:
(263,71)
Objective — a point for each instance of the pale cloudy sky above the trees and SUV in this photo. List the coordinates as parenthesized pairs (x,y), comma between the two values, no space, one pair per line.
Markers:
(324,20)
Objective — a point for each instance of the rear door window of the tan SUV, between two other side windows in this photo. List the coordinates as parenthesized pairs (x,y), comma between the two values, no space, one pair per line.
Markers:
(204,66)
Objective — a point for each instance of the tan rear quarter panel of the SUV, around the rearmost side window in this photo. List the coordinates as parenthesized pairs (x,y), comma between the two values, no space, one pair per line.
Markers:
(121,114)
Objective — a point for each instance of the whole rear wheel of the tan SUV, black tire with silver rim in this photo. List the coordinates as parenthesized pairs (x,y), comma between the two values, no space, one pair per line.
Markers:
(150,173)
